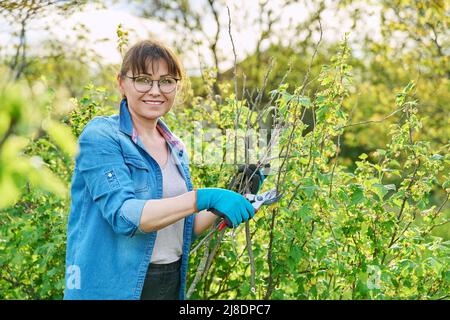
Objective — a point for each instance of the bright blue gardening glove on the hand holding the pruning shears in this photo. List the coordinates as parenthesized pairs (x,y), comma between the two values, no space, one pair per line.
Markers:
(230,205)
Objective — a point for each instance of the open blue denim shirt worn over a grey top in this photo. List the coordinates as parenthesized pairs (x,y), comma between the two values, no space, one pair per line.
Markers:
(107,253)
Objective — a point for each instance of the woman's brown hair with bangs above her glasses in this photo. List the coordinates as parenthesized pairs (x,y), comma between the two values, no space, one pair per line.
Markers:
(141,54)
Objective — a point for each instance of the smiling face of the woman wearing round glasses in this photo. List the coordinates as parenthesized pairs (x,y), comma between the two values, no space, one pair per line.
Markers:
(153,103)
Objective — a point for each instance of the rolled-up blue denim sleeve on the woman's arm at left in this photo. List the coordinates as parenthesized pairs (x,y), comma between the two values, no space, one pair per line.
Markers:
(108,179)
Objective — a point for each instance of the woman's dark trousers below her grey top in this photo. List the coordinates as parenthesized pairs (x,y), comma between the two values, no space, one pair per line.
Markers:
(162,282)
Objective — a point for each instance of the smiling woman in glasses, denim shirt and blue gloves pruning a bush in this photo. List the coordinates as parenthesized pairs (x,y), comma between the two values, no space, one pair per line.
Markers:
(134,211)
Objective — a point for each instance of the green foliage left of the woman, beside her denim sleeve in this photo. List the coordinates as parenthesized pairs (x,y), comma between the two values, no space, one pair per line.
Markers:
(33,230)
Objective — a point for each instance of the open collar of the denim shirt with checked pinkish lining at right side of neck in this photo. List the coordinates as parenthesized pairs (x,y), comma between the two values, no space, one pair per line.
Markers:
(126,126)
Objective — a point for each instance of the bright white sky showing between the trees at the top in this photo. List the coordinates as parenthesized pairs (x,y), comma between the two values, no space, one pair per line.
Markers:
(103,23)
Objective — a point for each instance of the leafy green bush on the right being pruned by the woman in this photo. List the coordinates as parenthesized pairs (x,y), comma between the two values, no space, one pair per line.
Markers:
(338,234)
